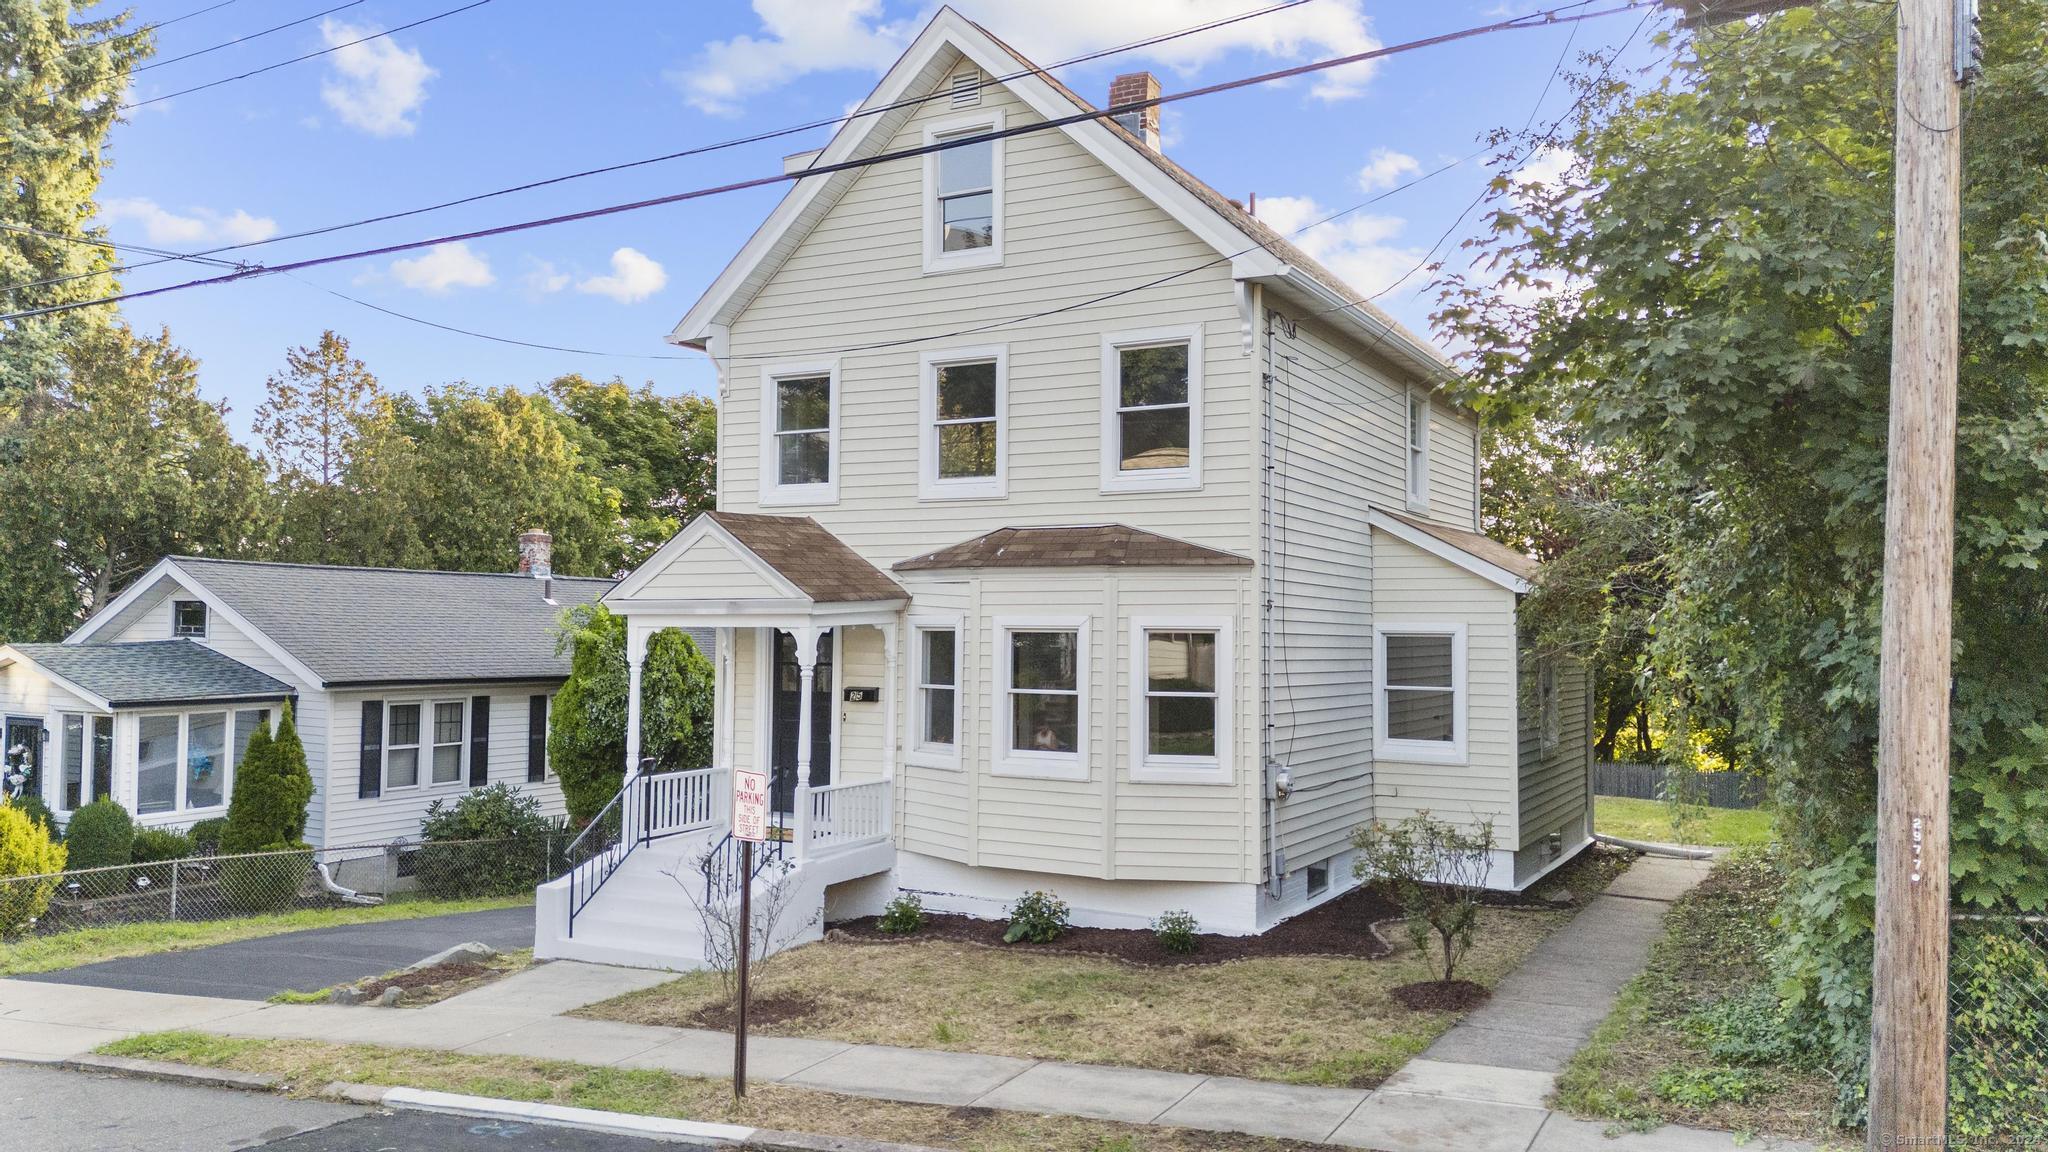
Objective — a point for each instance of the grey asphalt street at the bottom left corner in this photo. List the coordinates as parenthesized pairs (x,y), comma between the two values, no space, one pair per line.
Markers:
(48,1110)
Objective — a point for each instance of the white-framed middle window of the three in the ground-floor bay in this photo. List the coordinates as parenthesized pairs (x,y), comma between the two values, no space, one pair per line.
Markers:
(1043,698)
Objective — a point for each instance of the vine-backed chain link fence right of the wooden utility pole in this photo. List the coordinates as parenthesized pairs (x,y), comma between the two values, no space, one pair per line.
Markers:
(1998,1030)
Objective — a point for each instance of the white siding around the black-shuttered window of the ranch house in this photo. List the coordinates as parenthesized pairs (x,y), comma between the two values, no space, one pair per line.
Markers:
(396,815)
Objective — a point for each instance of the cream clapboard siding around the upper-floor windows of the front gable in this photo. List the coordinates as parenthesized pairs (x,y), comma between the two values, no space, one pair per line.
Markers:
(1072,231)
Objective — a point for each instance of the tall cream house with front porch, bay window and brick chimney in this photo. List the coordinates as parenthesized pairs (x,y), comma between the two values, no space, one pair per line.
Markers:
(1074,532)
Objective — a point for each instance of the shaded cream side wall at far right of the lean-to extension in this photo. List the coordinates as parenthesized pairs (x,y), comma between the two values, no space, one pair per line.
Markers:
(1553,782)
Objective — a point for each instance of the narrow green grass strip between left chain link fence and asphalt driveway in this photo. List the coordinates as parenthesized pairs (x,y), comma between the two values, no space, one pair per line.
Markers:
(116,942)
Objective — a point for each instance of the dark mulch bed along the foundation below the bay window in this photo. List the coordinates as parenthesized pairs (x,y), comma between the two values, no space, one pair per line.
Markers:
(1340,928)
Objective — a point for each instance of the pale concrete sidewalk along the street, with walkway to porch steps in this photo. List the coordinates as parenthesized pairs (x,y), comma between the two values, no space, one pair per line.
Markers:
(521,1018)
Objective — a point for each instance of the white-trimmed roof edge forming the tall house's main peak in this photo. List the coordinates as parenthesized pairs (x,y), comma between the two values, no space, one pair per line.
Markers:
(1254,251)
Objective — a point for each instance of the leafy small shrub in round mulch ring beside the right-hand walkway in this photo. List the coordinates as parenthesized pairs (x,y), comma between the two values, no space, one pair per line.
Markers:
(1437,872)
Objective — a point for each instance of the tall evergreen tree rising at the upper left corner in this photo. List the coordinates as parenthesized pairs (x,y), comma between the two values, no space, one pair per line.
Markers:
(60,89)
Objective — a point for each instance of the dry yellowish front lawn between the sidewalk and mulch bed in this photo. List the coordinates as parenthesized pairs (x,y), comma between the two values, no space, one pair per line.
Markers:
(1302,1020)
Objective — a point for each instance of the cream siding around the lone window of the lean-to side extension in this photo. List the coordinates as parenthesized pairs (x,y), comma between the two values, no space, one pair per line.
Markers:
(1414,587)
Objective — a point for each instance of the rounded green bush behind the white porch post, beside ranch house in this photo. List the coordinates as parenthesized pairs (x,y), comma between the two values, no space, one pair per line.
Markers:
(587,739)
